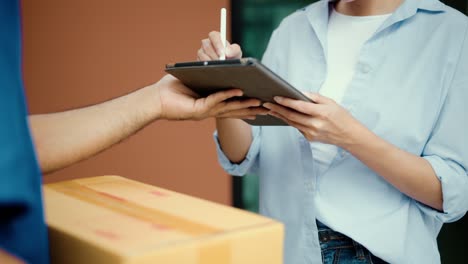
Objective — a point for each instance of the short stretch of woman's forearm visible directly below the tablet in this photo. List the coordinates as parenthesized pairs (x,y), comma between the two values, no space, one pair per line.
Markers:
(235,138)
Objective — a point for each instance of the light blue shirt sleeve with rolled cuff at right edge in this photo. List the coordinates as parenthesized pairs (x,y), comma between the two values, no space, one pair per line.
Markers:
(447,148)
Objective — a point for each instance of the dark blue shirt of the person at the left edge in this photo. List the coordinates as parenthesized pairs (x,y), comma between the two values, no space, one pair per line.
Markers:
(22,229)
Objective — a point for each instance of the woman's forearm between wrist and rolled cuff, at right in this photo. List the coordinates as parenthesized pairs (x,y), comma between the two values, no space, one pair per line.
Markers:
(409,173)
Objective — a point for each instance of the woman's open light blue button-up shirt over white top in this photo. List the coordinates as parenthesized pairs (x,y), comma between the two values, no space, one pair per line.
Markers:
(410,88)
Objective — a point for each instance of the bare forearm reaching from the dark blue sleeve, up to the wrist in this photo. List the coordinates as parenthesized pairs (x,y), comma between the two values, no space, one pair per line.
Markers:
(67,137)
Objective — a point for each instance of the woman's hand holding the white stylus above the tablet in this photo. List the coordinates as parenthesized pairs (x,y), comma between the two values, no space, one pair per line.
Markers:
(212,48)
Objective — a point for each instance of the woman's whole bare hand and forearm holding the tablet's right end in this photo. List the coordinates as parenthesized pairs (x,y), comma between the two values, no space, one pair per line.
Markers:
(327,122)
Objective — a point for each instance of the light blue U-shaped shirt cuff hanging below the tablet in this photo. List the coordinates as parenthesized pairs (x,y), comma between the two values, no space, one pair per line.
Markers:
(240,169)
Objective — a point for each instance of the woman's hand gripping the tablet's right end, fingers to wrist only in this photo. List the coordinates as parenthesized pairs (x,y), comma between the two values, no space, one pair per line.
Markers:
(324,120)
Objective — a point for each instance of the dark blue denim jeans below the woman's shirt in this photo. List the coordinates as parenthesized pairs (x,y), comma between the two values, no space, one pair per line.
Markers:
(340,249)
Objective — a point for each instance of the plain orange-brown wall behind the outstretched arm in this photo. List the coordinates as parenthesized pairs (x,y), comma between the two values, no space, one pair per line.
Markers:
(78,53)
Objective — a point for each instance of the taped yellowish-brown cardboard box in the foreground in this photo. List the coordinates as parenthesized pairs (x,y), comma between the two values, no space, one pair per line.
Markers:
(111,219)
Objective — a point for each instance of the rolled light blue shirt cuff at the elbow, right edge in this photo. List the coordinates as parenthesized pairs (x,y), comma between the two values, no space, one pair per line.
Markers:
(454,182)
